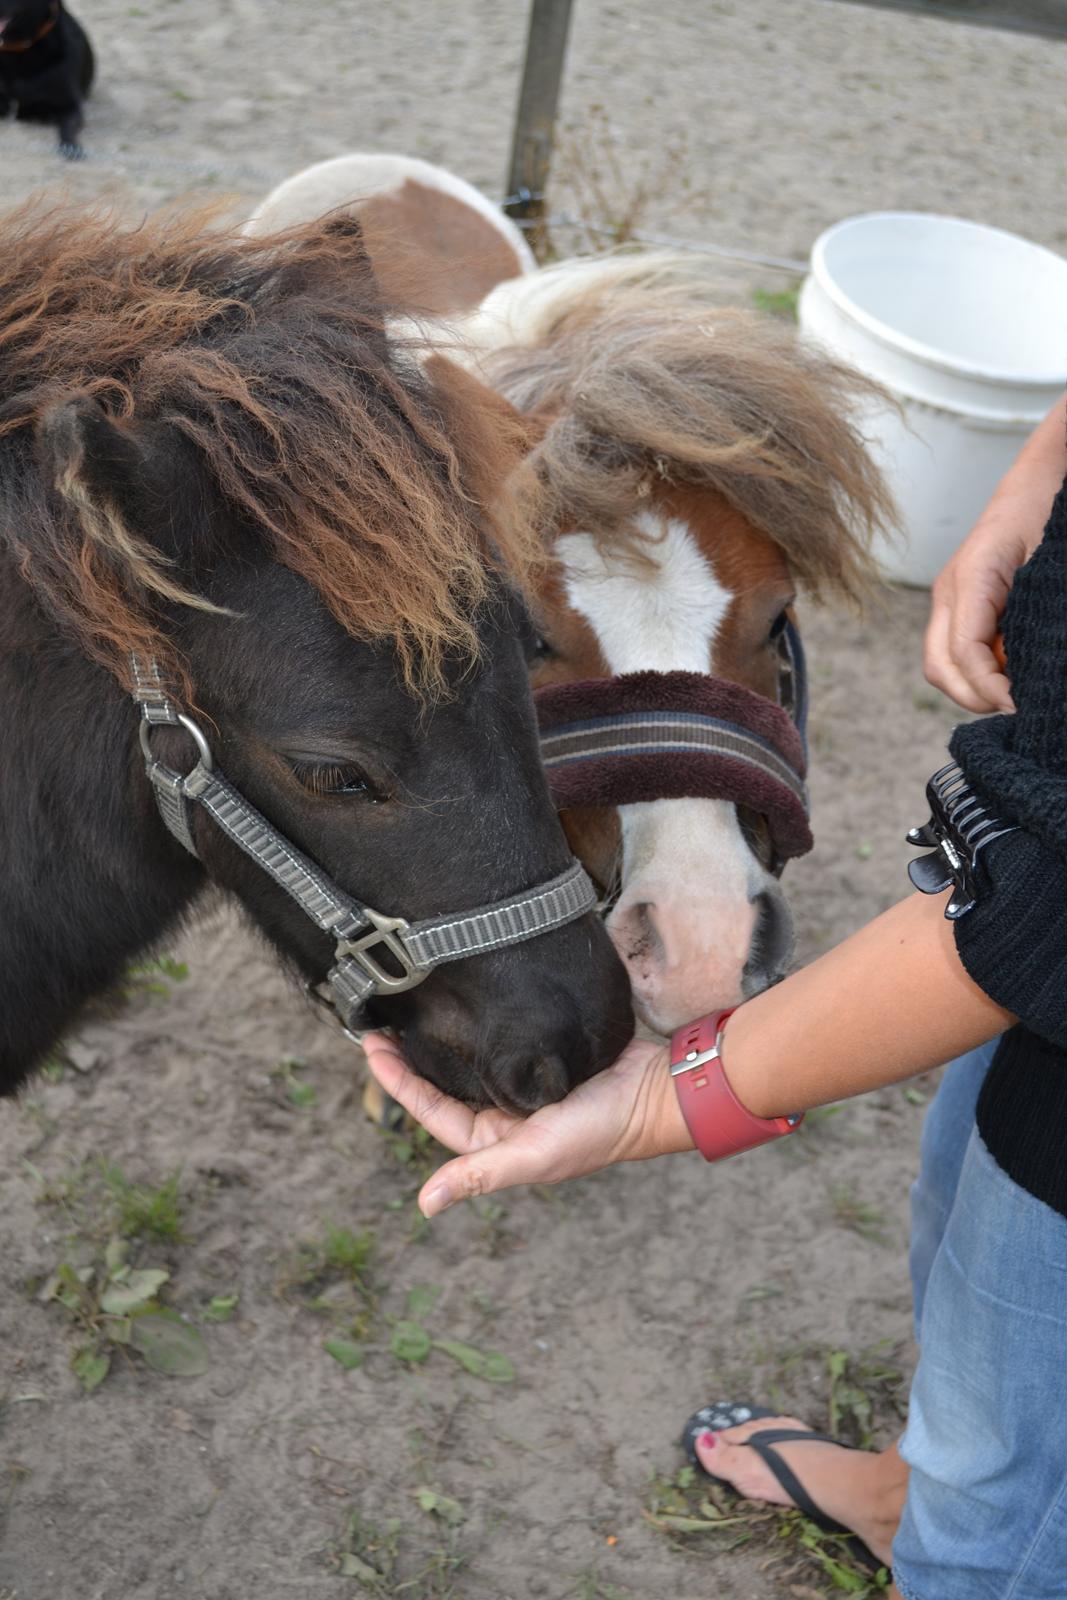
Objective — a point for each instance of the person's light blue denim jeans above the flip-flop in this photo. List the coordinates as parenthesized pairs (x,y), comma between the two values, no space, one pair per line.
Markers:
(986,1442)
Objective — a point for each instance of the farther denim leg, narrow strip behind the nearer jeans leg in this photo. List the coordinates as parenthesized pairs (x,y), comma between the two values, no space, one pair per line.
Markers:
(946,1137)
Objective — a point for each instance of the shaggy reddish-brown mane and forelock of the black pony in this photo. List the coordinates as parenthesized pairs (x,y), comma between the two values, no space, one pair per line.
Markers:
(361,470)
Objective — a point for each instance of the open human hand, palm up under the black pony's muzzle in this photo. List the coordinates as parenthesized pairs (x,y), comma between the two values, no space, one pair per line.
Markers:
(625,1114)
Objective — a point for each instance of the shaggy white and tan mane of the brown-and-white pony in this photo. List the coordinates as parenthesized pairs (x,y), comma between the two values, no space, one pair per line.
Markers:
(647,383)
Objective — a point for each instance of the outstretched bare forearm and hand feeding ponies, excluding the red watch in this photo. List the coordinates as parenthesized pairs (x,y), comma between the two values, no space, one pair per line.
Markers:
(887,1004)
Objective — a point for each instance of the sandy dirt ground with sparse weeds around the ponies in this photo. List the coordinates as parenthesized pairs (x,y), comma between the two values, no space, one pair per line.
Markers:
(620,1302)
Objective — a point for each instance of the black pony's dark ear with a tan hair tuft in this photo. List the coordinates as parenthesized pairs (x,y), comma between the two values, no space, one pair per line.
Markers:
(124,497)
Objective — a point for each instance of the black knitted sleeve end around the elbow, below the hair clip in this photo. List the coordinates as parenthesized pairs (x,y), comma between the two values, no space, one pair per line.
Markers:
(1015,942)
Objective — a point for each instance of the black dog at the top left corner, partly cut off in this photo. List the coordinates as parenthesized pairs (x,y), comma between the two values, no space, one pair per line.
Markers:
(46,68)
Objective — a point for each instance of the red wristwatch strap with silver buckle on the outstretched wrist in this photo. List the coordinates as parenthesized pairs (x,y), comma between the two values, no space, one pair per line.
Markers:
(714,1116)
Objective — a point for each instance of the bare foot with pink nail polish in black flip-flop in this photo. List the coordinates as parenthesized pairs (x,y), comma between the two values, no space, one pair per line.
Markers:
(860,1489)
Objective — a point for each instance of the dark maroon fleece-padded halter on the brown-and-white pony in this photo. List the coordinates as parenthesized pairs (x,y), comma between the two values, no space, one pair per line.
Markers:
(676,735)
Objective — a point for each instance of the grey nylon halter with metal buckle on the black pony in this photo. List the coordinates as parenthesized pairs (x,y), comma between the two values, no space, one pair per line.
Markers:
(359,930)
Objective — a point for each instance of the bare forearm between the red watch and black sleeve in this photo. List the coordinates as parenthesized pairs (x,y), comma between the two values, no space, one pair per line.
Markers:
(887,1004)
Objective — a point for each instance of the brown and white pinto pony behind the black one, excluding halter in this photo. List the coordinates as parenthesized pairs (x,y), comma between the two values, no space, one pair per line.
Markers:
(705,470)
